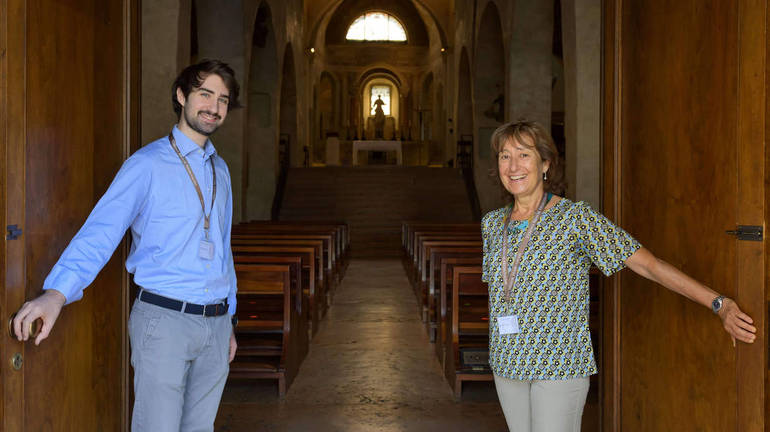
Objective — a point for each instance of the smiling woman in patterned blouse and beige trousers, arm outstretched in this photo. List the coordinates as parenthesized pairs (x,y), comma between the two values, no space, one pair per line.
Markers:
(539,343)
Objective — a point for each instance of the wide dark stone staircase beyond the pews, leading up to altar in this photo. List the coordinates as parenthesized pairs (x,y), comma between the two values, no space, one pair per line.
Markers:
(374,200)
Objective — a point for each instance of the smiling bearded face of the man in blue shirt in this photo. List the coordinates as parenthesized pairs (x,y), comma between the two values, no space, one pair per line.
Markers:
(205,108)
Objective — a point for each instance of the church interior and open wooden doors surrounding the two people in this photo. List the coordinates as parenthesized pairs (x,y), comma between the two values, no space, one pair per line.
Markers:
(360,166)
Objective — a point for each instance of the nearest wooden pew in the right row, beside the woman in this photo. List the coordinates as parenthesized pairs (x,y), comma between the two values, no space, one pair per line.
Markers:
(468,318)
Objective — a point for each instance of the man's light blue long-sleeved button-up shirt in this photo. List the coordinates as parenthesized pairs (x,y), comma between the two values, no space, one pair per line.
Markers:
(154,196)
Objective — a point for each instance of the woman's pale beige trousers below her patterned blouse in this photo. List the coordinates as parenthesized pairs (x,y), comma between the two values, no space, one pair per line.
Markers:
(542,405)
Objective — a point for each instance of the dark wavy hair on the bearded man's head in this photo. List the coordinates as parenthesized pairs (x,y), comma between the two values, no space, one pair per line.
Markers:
(193,76)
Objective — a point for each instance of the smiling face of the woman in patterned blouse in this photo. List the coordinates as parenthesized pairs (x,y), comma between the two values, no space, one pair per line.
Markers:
(521,168)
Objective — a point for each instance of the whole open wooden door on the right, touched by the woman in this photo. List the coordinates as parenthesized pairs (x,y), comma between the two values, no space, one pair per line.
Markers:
(685,96)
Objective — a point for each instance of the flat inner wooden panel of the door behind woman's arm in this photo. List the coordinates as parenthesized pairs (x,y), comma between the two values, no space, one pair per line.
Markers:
(678,115)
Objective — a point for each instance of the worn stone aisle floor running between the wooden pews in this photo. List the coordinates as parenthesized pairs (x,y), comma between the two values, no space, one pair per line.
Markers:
(370,368)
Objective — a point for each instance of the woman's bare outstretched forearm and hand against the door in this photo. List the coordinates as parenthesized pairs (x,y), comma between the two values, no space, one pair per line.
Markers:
(738,324)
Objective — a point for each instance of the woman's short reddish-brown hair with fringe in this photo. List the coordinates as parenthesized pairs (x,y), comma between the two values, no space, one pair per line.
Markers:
(528,132)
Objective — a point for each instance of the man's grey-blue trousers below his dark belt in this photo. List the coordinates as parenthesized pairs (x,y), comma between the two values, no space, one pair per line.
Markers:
(180,365)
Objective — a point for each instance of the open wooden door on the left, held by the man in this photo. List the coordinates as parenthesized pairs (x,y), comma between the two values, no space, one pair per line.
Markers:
(67,74)
